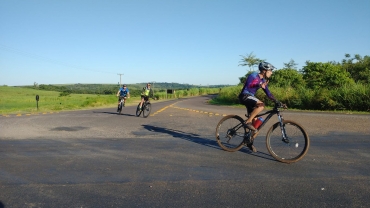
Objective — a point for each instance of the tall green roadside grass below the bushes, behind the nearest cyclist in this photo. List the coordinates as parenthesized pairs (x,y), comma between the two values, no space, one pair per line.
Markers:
(354,97)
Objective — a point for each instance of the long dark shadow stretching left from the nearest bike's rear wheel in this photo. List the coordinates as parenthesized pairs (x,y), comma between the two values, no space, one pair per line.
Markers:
(184,135)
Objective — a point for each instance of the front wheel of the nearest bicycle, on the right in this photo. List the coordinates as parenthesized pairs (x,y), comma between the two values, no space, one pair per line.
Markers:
(287,151)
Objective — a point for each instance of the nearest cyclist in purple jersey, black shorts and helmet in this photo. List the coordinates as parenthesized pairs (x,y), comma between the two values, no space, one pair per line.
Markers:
(254,82)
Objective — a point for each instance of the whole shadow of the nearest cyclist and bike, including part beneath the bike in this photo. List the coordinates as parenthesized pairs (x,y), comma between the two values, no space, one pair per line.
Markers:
(202,141)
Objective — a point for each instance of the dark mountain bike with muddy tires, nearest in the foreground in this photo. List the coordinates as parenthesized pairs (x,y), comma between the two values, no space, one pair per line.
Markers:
(286,140)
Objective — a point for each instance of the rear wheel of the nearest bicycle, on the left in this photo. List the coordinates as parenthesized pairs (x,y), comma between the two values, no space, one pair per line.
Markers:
(230,133)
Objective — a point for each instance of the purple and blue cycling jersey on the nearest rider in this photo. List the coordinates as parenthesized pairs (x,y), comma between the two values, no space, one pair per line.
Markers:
(253,83)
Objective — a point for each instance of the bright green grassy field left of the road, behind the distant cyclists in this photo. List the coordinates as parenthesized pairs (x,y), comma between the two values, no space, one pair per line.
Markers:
(15,100)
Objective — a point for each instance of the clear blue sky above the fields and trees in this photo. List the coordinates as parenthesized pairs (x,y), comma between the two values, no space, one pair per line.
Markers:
(195,41)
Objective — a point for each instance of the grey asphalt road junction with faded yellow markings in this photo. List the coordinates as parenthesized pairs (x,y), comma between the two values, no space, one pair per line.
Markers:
(96,158)
